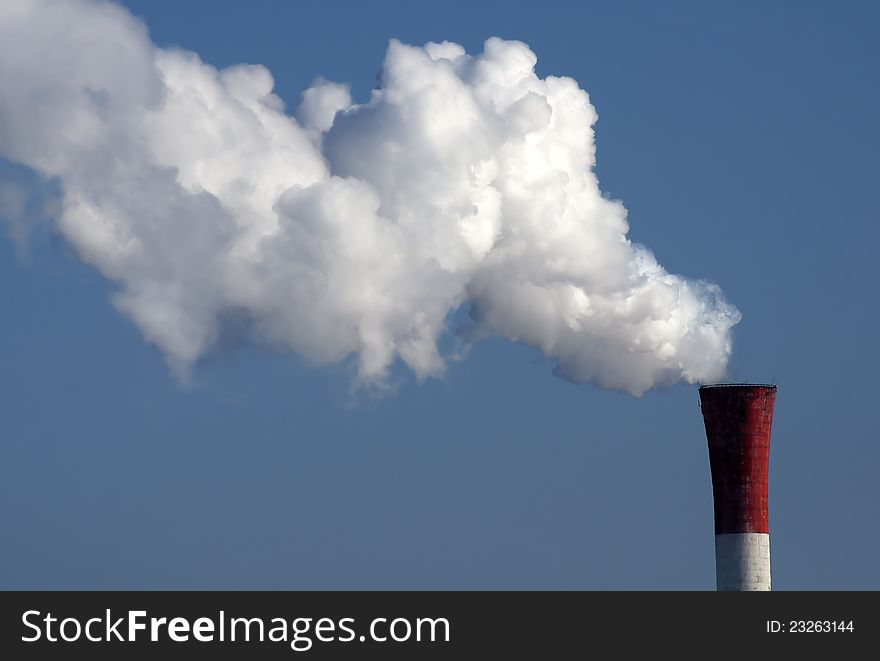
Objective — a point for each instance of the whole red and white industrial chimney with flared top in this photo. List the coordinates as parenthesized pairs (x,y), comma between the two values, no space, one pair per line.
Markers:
(738,418)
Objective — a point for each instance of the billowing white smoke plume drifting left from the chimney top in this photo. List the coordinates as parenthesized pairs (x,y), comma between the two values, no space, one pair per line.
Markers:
(345,229)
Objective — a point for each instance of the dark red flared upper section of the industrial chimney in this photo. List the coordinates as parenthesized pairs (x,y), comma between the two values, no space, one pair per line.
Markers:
(738,419)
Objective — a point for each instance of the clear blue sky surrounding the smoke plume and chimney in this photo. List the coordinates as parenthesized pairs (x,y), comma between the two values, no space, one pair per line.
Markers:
(743,139)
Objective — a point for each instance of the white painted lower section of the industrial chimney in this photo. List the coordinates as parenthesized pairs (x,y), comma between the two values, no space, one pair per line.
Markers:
(742,561)
